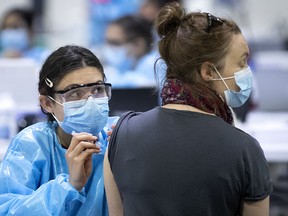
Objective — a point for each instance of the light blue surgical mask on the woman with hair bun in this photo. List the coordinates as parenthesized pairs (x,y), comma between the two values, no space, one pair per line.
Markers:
(244,80)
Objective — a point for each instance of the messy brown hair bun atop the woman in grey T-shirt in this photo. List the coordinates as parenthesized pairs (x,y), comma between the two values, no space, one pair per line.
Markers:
(169,18)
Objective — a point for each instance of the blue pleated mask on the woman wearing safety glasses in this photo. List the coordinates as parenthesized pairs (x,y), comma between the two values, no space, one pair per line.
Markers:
(90,117)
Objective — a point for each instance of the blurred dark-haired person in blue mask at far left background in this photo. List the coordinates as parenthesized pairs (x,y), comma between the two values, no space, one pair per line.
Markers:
(18,38)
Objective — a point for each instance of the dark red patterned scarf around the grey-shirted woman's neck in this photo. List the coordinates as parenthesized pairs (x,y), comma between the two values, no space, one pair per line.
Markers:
(199,96)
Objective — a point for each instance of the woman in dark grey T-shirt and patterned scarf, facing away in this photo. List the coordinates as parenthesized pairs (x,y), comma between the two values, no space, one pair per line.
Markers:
(186,157)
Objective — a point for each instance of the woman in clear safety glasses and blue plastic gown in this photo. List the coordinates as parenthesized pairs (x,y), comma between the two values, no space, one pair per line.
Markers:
(56,167)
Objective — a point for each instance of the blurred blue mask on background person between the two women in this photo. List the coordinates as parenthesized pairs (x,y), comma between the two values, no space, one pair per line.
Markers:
(117,57)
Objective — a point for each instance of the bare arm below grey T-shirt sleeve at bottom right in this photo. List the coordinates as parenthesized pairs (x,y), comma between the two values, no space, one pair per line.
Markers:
(256,208)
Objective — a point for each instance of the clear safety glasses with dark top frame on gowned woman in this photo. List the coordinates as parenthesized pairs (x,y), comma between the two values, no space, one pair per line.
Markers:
(83,91)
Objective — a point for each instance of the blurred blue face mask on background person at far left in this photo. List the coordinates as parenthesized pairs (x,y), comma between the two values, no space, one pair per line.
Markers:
(14,39)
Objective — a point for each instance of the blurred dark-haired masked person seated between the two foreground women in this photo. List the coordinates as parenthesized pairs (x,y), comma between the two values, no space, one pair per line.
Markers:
(128,55)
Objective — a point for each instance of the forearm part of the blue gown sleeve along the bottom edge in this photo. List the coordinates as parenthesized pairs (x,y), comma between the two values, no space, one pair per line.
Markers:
(56,197)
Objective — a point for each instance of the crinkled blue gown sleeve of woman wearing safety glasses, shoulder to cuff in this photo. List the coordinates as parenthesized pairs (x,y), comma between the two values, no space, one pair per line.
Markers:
(27,188)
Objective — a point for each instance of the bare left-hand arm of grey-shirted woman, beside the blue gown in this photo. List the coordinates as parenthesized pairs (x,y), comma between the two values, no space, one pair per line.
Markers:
(114,200)
